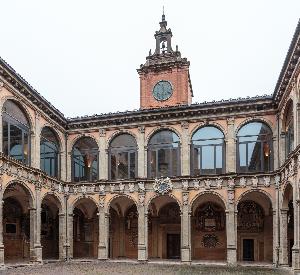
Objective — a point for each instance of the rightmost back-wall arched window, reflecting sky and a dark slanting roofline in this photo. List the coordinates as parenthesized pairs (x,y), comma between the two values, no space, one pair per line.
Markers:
(254,148)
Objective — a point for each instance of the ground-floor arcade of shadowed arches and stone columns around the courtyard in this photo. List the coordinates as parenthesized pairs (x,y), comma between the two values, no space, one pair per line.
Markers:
(40,226)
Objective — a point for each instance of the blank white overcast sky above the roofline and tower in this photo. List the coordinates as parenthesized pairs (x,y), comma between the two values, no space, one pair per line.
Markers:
(82,56)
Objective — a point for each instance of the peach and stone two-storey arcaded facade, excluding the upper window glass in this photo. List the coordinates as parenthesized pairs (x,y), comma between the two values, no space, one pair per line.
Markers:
(220,217)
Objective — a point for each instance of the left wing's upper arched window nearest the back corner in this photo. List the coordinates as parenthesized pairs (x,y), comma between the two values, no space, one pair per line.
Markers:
(49,152)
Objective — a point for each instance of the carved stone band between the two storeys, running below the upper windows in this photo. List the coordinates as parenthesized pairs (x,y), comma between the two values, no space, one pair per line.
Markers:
(12,167)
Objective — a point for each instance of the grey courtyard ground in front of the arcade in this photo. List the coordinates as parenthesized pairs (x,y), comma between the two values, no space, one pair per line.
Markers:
(111,268)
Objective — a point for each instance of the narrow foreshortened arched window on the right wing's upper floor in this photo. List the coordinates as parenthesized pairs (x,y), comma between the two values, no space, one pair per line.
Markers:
(289,129)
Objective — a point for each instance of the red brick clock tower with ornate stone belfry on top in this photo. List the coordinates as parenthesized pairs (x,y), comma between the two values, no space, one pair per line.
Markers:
(164,78)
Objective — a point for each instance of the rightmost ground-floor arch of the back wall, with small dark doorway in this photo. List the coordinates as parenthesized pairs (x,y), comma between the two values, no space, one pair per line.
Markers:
(255,209)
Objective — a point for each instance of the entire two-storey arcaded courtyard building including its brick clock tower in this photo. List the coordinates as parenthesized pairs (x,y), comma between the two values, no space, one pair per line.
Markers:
(215,181)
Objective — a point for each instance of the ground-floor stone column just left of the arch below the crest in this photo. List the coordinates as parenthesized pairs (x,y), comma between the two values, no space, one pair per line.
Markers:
(142,229)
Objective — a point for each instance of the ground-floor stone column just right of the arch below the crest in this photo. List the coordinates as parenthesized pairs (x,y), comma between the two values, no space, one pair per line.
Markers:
(185,229)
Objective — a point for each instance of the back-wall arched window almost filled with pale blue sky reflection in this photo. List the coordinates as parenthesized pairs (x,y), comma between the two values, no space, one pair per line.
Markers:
(207,151)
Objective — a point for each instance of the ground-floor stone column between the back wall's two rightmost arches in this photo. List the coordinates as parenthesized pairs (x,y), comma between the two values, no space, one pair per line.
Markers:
(231,229)
